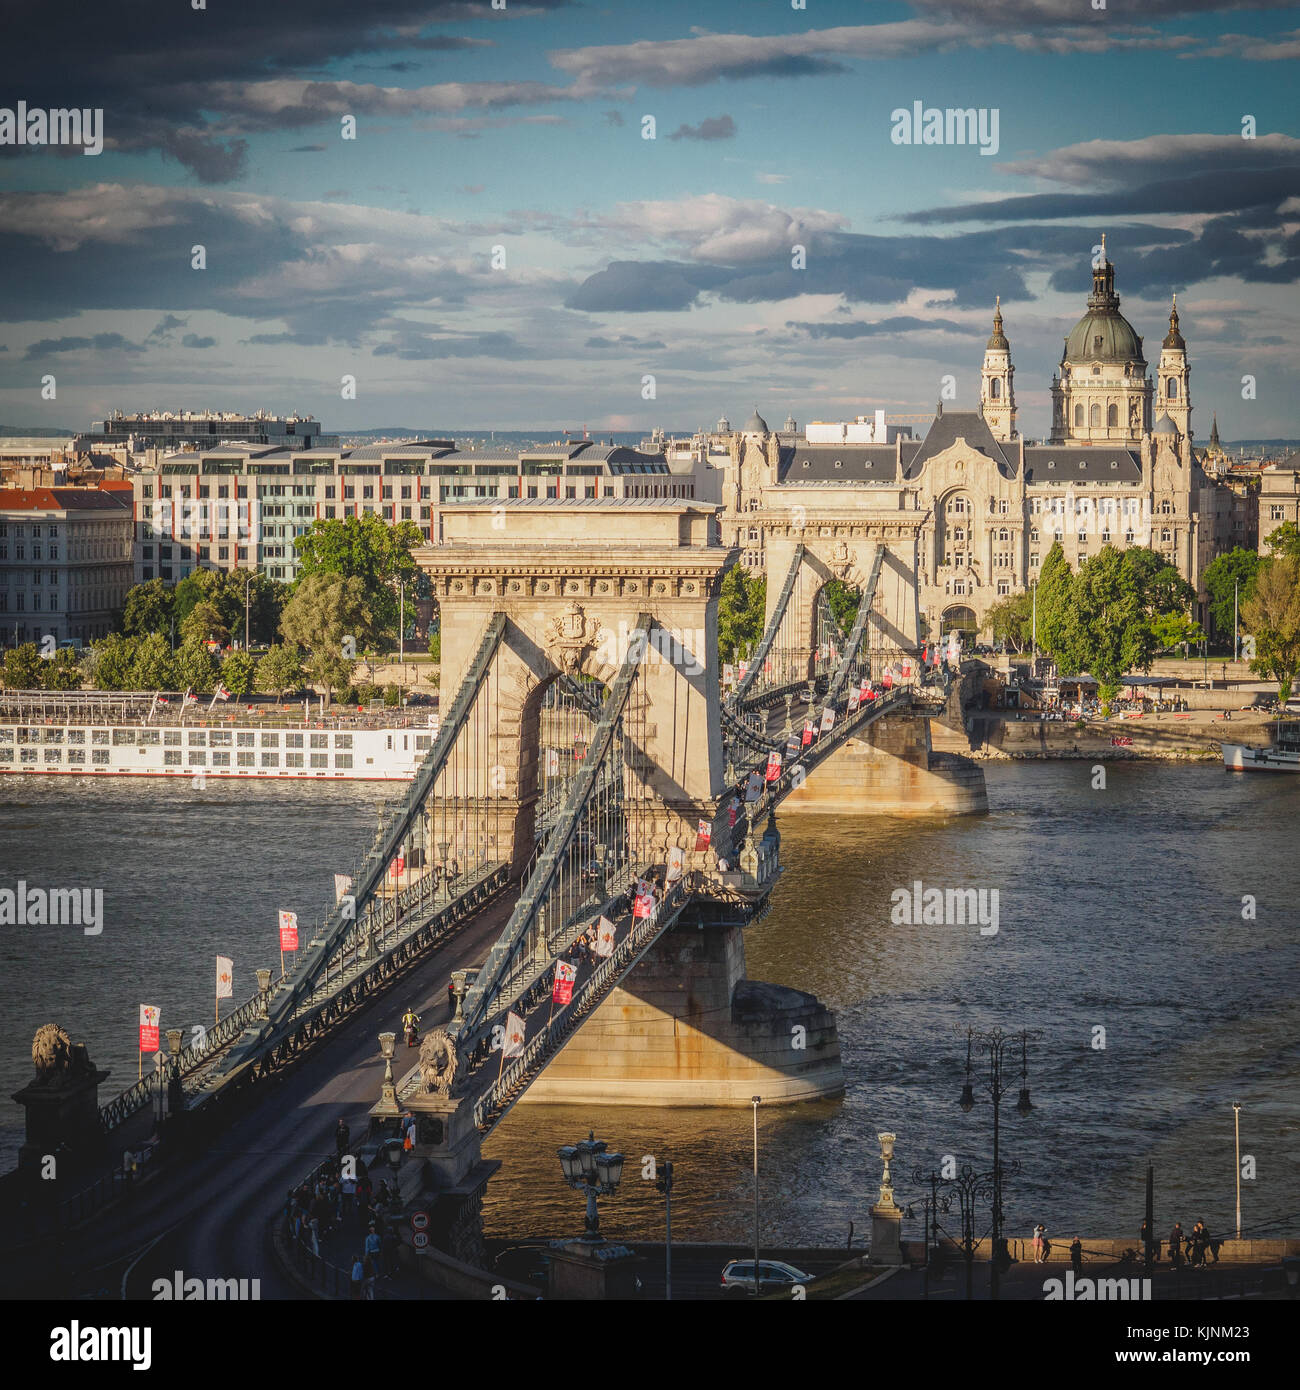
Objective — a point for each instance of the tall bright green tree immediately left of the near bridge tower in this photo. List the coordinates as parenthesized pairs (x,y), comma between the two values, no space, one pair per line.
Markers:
(369,550)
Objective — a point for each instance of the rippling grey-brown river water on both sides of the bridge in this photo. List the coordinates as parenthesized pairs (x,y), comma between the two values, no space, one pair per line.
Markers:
(1120,910)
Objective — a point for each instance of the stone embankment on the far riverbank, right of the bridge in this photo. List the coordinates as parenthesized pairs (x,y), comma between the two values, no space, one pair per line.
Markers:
(1189,736)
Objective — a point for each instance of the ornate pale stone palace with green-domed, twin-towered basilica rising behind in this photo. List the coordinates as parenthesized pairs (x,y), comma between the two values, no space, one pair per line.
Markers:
(995,502)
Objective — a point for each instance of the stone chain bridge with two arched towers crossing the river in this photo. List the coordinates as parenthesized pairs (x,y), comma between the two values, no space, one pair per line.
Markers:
(597,779)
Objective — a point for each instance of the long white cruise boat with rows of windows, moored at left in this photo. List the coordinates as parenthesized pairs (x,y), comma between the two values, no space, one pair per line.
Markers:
(148,735)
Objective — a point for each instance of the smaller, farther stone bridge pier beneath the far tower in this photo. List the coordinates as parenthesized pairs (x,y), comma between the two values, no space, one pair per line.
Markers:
(893,771)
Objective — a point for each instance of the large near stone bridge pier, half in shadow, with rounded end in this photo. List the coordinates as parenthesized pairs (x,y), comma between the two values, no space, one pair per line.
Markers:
(688,1028)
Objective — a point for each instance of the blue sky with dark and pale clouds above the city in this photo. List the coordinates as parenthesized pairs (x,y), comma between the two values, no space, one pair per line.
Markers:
(498,245)
